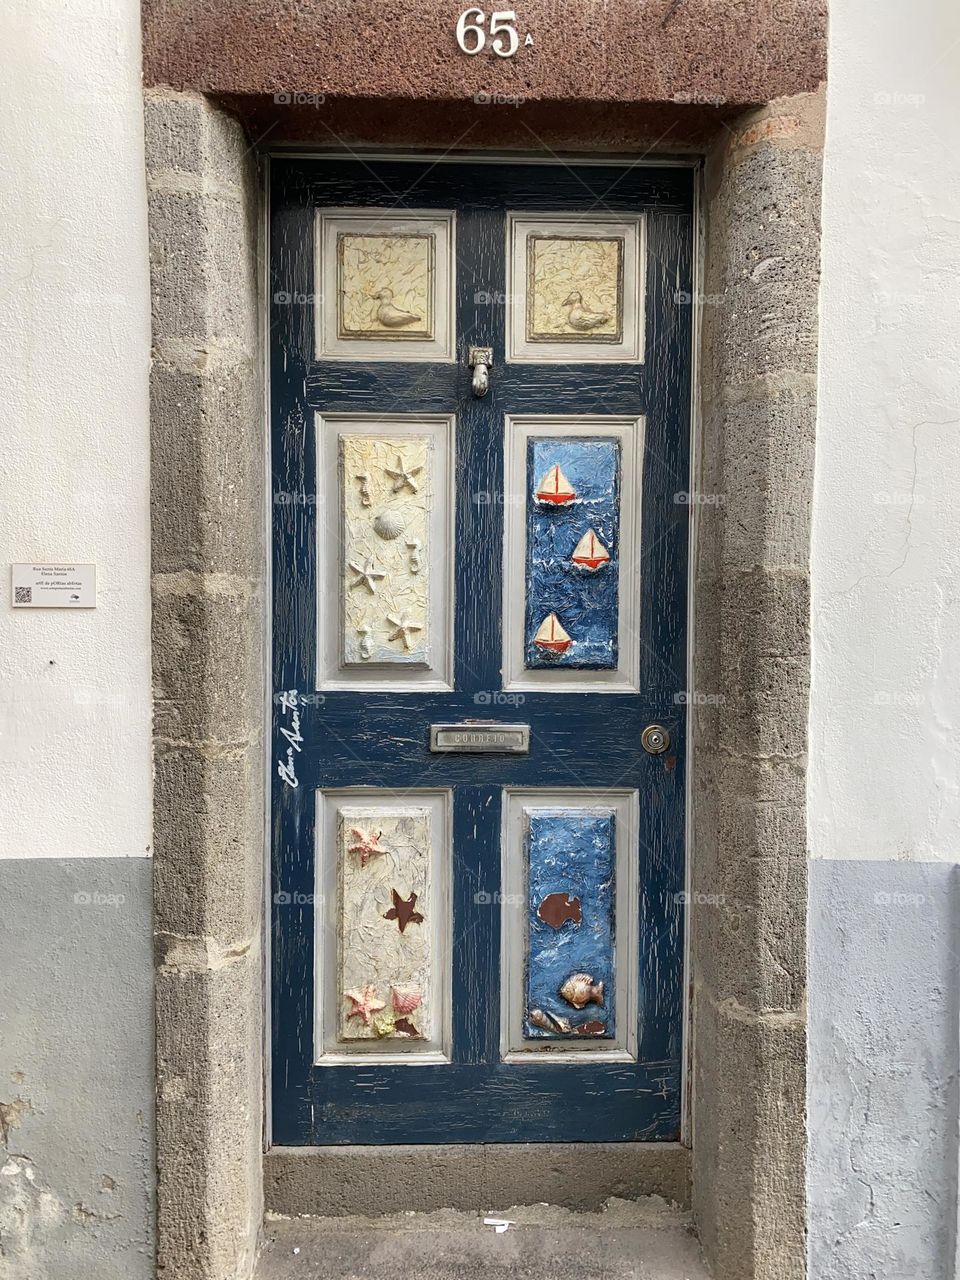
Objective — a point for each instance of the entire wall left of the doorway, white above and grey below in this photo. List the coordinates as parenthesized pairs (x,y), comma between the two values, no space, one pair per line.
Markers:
(76,958)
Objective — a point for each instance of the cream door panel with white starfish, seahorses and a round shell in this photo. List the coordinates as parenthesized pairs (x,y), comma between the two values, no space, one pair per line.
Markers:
(385,595)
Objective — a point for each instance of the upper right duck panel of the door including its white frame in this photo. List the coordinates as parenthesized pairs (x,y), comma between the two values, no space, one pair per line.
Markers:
(575,289)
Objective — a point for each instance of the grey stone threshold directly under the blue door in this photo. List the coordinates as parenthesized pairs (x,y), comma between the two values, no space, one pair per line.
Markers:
(373,1181)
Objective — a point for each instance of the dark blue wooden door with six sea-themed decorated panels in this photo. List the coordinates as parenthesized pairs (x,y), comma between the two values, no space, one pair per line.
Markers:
(479,606)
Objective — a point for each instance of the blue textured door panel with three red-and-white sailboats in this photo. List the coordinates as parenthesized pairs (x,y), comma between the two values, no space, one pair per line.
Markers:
(582,596)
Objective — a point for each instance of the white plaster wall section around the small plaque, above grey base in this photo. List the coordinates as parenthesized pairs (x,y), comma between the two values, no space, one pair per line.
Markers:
(75,341)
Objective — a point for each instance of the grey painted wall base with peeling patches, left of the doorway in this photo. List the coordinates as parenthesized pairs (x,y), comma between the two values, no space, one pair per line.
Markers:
(76,1069)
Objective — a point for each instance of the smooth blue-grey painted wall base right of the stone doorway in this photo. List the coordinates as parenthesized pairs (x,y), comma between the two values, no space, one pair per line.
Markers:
(883,1069)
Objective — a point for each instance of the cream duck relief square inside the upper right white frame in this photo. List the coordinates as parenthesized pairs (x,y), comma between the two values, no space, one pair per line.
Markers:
(575,290)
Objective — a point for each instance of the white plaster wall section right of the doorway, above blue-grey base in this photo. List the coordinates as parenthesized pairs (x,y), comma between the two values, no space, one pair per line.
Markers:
(885,738)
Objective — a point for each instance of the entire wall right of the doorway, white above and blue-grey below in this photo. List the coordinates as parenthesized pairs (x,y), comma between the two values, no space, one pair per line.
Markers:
(884,797)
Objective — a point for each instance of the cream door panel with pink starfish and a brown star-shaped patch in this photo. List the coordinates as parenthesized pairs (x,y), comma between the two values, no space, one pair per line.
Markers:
(385,903)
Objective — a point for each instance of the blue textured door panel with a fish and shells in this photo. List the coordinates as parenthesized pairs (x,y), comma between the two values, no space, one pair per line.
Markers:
(572,867)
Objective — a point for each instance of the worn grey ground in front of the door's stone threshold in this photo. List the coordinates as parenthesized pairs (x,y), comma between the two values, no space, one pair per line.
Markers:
(637,1241)
